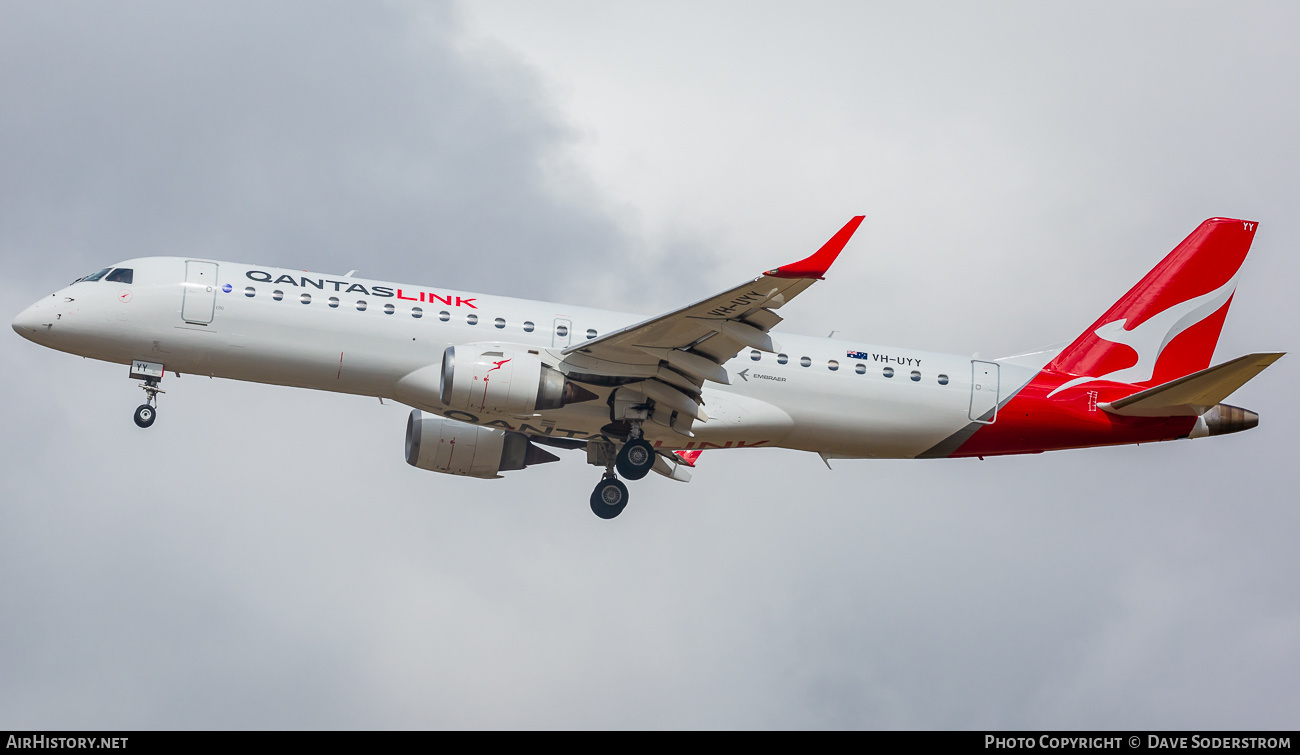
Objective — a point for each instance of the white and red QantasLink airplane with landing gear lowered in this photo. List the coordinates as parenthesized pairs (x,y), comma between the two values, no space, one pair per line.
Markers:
(495,381)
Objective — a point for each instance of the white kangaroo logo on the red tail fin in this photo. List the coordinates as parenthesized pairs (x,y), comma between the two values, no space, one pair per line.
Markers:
(1151,339)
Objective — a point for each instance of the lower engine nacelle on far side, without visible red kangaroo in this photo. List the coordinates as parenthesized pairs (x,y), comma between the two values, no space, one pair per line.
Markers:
(441,445)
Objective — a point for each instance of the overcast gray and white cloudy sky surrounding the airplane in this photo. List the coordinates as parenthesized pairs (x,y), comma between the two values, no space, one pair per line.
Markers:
(265,557)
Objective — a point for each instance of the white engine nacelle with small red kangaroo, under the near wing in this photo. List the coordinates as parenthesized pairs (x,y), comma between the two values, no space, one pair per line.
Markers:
(495,379)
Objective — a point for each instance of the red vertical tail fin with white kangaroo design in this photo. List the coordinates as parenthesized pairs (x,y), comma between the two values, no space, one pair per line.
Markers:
(1167,327)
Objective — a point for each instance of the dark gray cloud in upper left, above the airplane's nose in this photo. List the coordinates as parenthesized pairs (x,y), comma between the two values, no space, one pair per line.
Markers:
(332,137)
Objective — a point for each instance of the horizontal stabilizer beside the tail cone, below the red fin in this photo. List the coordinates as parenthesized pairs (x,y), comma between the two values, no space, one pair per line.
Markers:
(1195,394)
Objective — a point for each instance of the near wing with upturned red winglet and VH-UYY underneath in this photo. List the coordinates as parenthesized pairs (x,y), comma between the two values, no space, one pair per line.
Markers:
(669,358)
